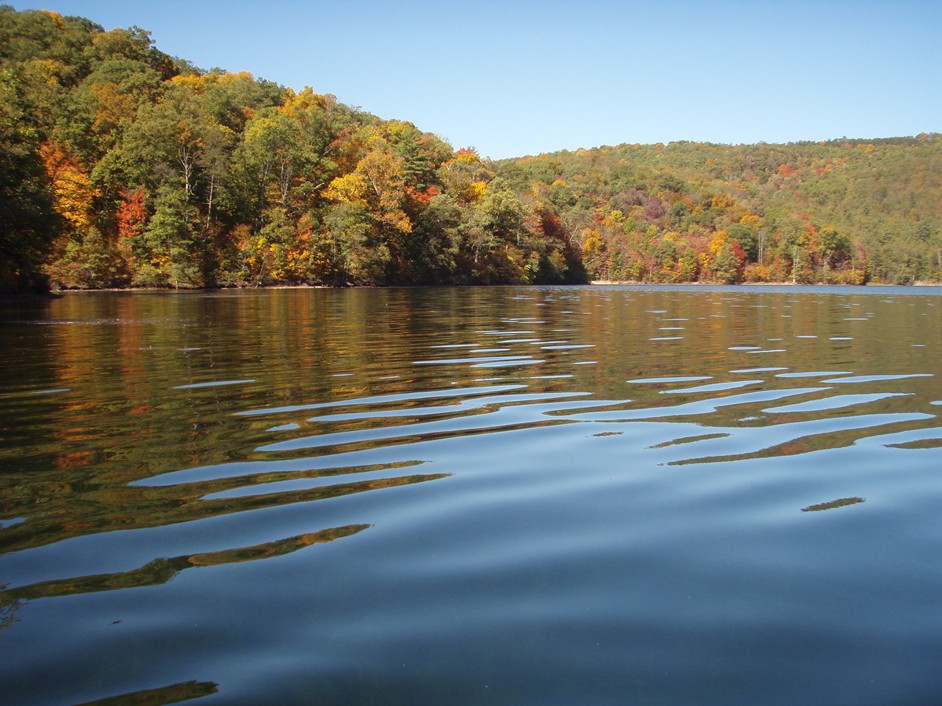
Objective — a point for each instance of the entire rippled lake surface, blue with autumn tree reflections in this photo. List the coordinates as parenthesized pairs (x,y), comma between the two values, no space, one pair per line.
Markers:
(513,496)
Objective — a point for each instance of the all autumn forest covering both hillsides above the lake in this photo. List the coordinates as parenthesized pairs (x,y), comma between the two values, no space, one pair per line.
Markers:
(123,167)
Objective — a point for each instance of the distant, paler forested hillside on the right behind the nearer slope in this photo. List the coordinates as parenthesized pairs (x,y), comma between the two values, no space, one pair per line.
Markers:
(844,211)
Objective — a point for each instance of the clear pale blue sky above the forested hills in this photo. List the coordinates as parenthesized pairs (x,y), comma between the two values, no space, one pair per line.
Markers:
(512,78)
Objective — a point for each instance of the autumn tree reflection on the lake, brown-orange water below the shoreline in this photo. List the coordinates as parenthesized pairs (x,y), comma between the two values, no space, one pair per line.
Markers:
(129,402)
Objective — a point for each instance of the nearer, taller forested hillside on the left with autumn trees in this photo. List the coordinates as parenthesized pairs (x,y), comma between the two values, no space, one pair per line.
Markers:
(121,166)
